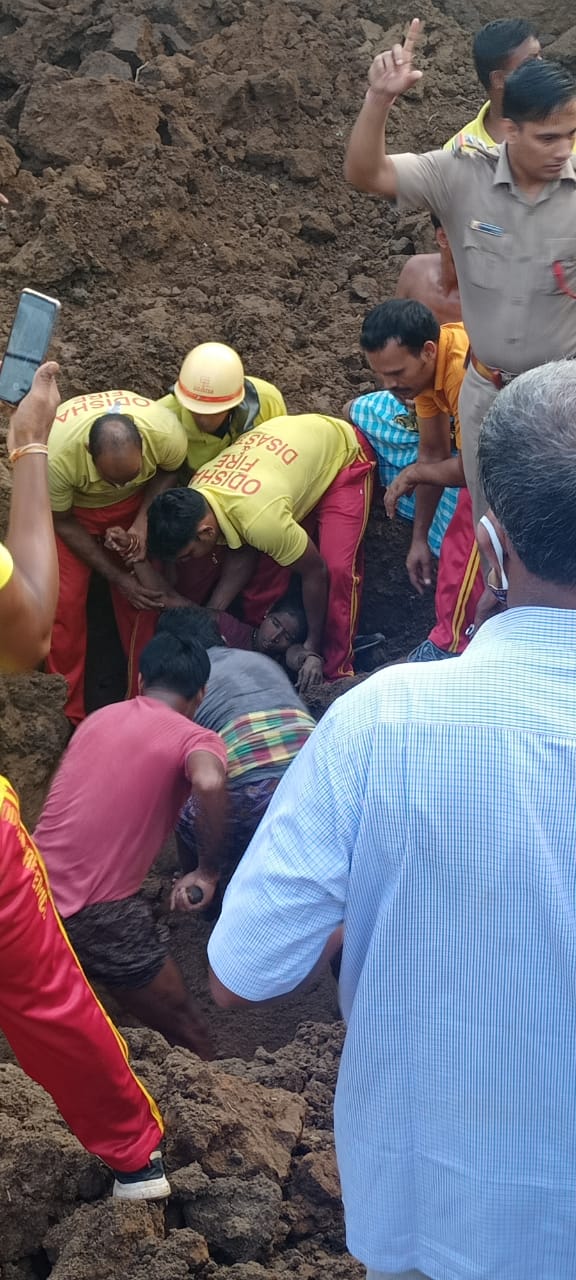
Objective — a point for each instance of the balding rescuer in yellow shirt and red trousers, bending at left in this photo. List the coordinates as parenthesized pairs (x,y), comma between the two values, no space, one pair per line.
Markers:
(109,455)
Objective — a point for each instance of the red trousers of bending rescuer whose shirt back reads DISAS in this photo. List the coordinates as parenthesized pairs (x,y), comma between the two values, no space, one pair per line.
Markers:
(337,527)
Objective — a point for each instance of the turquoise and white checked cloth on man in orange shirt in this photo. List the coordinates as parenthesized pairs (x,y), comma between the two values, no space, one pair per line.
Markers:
(392,431)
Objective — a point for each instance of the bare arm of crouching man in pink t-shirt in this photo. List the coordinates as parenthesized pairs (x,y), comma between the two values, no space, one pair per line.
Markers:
(208,778)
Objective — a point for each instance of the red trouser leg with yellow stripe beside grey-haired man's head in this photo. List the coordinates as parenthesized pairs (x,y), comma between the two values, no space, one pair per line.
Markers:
(460,582)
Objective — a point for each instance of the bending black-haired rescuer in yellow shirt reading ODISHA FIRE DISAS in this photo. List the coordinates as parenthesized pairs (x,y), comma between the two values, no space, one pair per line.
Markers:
(299,491)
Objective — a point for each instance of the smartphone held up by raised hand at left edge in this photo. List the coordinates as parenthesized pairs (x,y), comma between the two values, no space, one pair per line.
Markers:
(28,345)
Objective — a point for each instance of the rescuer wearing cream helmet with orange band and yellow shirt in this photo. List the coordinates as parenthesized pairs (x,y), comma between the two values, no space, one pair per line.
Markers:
(217,404)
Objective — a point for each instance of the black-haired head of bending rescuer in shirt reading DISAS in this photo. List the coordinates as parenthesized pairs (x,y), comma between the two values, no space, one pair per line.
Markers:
(181,524)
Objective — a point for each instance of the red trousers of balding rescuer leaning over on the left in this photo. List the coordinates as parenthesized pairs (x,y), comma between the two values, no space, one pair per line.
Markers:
(70,633)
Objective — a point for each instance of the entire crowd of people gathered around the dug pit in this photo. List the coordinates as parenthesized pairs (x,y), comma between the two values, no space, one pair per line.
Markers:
(419,836)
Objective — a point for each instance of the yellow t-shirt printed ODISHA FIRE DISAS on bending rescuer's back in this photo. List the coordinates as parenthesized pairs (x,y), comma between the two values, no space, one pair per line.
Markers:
(272,478)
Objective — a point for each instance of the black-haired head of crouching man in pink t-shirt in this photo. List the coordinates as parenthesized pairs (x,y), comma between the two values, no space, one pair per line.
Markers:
(175,670)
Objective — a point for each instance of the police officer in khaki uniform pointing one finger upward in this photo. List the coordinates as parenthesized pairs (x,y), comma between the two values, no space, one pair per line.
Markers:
(510,216)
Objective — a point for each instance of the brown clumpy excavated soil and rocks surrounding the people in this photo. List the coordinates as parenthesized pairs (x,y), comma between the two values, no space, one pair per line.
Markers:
(175,175)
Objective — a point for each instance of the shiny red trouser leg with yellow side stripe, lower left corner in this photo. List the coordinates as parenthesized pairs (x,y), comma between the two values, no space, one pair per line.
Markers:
(52,1018)
